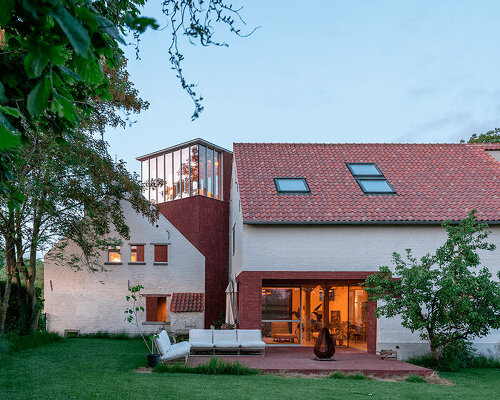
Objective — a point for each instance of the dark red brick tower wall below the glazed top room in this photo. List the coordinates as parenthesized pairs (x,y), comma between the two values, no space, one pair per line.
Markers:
(205,223)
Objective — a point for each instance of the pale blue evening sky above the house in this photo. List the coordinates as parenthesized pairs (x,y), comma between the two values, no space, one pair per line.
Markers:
(323,71)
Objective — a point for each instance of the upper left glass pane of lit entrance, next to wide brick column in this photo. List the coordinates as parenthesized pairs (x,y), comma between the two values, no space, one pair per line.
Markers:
(280,303)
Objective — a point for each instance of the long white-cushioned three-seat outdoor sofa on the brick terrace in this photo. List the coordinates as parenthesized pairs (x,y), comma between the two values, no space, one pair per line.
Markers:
(231,340)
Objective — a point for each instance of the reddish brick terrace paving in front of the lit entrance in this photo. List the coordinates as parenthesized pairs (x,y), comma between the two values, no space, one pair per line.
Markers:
(300,360)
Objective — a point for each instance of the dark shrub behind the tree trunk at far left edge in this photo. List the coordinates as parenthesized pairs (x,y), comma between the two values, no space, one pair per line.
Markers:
(18,319)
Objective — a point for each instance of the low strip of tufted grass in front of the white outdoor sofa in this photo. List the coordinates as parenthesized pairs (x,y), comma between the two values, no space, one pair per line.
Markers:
(214,367)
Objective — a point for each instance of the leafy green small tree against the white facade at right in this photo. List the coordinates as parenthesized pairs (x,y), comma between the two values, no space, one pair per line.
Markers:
(445,296)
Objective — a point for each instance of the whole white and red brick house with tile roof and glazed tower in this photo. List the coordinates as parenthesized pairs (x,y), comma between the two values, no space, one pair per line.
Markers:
(292,231)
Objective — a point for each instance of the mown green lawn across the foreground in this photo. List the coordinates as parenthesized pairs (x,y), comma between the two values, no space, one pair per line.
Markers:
(98,368)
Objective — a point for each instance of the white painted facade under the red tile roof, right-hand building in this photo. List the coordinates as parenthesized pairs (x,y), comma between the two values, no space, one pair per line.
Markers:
(346,248)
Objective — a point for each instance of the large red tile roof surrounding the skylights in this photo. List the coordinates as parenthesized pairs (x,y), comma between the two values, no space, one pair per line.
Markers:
(434,182)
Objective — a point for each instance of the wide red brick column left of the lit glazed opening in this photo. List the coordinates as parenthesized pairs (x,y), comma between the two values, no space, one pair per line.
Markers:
(249,301)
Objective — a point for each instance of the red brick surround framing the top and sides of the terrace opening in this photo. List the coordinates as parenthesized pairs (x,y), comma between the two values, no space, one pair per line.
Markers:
(250,292)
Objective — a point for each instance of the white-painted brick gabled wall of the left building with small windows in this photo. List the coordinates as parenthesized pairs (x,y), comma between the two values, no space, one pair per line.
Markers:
(95,301)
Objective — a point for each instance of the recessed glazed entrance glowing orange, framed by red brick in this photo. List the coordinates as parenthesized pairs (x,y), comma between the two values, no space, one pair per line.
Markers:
(294,315)
